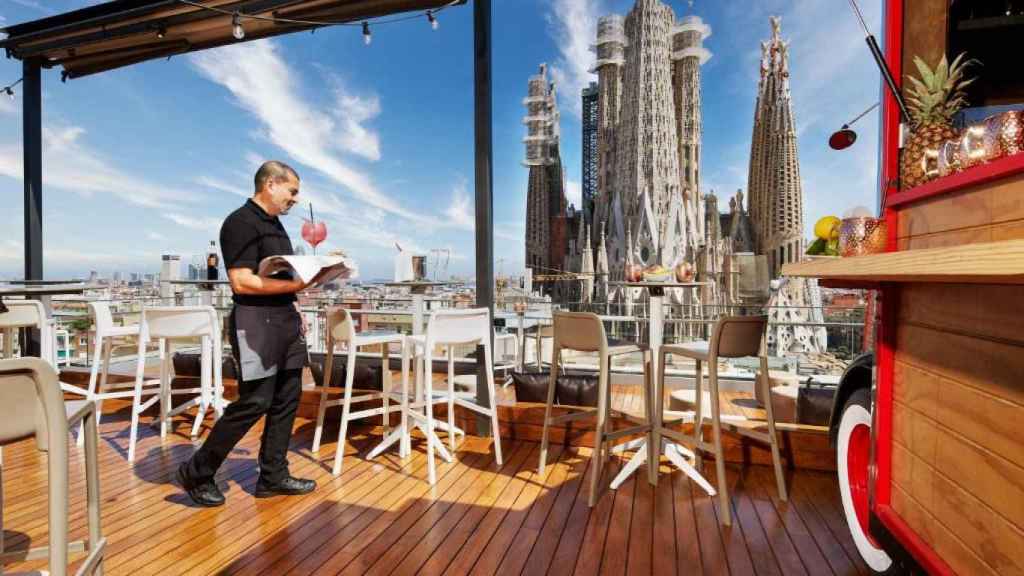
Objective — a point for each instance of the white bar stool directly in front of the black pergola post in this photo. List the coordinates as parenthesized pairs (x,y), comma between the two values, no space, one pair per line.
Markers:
(449,328)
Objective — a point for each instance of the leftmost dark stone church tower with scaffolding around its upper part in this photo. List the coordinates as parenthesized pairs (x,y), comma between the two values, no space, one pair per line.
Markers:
(547,241)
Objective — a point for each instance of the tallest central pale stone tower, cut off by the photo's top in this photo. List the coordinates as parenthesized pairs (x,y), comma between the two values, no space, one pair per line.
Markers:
(647,143)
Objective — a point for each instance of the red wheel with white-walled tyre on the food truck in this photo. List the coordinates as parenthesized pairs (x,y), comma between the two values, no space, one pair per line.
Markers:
(854,457)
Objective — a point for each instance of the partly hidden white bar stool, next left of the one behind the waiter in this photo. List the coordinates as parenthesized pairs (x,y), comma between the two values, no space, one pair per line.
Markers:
(109,339)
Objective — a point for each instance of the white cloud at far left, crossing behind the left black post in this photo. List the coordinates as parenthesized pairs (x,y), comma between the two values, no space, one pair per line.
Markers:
(73,166)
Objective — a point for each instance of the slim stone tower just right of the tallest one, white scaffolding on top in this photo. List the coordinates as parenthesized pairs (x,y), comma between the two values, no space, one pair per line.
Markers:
(689,55)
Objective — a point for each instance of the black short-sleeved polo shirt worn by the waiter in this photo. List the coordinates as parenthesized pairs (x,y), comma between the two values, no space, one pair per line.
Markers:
(248,236)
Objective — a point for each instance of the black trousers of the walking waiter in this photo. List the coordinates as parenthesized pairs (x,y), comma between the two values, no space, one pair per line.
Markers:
(275,397)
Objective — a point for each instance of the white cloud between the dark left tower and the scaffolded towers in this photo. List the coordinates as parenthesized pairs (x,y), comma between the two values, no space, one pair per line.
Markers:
(573,24)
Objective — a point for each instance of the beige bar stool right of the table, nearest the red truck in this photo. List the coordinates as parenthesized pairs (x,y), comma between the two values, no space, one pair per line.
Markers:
(734,337)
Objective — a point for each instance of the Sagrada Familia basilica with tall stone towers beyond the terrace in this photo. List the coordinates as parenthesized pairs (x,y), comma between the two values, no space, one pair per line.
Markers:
(650,208)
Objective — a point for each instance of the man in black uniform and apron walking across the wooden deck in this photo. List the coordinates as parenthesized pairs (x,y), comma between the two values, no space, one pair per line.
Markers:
(268,339)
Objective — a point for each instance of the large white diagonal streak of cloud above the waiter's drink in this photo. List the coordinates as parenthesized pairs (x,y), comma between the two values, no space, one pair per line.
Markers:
(265,86)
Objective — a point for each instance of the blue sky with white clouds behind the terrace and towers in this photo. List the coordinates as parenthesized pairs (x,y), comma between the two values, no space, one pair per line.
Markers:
(150,159)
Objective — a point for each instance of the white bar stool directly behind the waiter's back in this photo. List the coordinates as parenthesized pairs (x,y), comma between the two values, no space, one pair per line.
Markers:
(179,323)
